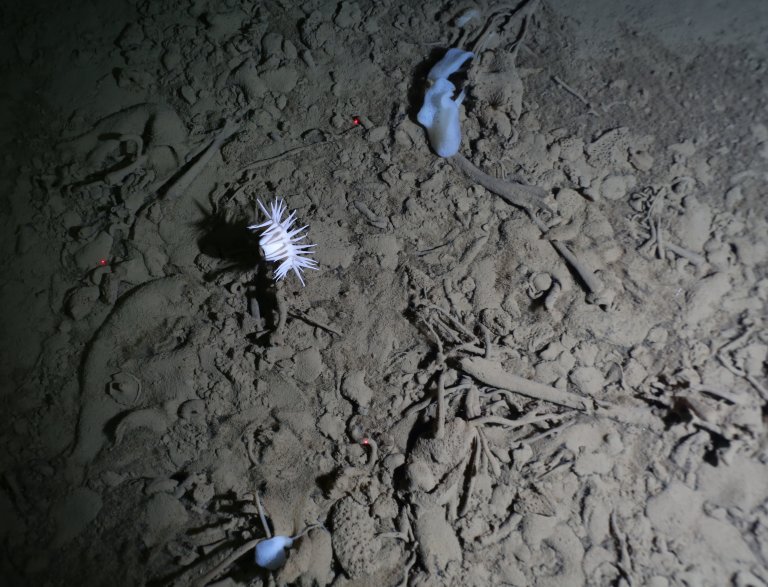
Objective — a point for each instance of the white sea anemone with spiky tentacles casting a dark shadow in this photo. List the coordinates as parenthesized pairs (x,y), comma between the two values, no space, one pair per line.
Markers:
(279,243)
